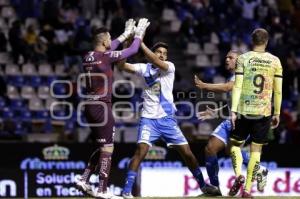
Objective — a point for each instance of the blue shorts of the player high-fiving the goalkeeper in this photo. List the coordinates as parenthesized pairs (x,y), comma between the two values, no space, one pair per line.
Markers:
(166,128)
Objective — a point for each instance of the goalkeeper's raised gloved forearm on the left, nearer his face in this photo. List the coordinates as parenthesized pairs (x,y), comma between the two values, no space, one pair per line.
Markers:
(129,30)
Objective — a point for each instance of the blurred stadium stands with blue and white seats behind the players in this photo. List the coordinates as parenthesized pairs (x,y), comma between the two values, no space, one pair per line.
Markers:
(43,40)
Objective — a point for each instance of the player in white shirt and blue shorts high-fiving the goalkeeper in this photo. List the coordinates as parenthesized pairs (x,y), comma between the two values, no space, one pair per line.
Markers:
(157,119)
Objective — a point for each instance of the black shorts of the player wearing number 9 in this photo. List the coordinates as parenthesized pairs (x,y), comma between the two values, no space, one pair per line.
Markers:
(257,127)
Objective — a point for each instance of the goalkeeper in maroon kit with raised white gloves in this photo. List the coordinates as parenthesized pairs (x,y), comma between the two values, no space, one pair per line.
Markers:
(98,73)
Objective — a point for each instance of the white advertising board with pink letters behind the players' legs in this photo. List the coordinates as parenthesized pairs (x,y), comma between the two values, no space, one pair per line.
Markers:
(180,182)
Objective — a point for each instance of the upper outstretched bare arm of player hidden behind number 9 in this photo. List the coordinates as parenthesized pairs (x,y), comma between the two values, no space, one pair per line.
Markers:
(224,87)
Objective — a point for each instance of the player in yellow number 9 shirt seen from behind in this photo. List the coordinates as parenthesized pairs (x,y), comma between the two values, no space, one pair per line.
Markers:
(258,77)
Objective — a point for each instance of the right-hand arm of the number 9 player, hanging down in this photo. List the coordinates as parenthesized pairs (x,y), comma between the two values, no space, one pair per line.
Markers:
(277,88)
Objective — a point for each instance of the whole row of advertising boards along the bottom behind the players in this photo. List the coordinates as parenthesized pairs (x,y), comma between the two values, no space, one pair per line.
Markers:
(50,170)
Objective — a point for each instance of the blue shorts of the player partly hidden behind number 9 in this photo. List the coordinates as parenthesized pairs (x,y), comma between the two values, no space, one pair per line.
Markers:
(222,132)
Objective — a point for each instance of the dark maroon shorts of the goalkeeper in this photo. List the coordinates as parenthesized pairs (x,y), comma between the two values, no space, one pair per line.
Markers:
(101,122)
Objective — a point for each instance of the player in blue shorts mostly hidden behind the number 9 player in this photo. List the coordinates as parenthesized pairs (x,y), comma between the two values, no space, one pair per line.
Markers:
(220,137)
